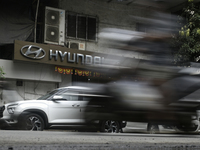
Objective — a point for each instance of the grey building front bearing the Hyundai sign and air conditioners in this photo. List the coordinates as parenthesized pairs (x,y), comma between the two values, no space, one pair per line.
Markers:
(68,33)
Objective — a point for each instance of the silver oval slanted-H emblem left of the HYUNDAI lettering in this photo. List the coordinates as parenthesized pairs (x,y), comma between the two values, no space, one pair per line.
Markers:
(33,52)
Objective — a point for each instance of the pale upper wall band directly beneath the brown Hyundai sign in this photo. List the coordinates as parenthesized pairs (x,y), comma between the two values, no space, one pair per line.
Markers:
(29,71)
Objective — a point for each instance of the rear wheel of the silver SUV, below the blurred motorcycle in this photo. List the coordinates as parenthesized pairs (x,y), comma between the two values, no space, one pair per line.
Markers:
(110,126)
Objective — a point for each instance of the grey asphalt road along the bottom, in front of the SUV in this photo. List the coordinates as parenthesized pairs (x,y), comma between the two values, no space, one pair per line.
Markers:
(55,139)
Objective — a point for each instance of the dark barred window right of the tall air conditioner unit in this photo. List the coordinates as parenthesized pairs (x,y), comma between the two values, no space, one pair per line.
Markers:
(80,26)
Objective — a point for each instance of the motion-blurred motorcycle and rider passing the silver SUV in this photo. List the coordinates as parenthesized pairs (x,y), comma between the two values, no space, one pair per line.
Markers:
(148,88)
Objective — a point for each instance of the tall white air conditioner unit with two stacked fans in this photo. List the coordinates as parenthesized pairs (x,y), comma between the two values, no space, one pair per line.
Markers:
(54,30)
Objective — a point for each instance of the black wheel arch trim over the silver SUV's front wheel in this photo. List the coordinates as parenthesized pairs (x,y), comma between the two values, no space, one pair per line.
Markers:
(39,112)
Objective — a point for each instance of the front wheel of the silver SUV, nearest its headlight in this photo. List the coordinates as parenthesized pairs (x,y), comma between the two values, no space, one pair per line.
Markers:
(32,122)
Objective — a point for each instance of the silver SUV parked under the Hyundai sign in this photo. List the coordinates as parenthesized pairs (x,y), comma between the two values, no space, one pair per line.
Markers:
(62,107)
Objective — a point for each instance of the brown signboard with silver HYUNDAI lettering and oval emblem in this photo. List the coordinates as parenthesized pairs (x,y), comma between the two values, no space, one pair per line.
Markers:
(56,55)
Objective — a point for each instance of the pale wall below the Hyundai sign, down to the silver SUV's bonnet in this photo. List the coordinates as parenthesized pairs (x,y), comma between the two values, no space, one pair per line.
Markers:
(37,80)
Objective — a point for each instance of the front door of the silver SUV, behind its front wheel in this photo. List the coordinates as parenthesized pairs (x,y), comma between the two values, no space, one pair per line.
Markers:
(65,108)
